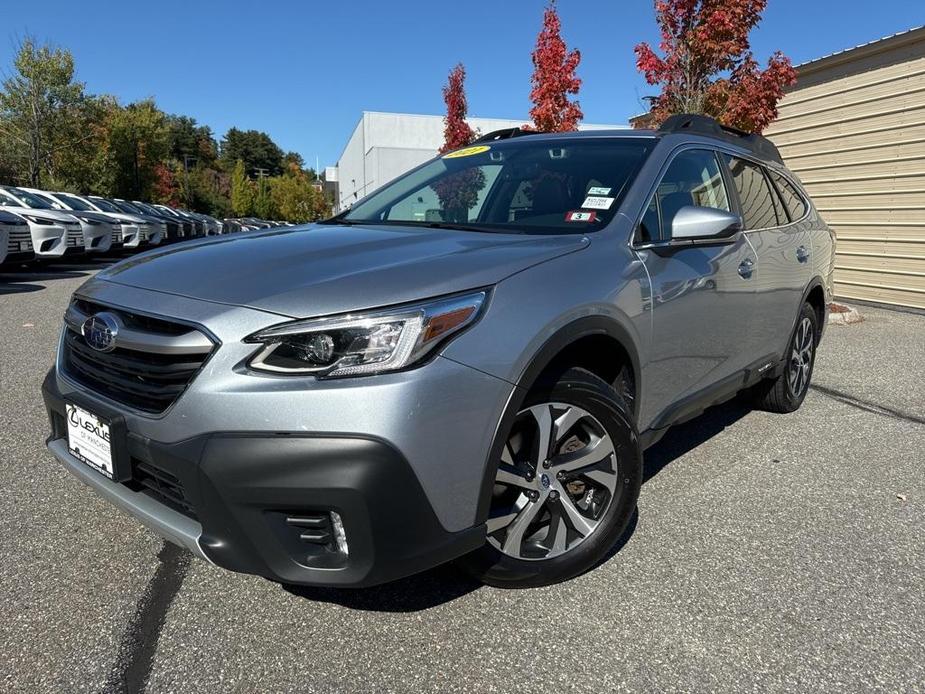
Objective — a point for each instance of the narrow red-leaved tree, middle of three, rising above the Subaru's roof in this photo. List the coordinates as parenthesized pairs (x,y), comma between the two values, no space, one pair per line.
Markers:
(554,78)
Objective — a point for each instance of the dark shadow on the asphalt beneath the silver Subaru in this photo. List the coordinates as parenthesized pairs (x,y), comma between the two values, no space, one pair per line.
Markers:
(448,582)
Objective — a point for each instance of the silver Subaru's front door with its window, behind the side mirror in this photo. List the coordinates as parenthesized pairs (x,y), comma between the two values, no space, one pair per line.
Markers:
(702,293)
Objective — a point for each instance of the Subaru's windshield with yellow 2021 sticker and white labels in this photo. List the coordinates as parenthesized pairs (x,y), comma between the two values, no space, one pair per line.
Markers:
(565,186)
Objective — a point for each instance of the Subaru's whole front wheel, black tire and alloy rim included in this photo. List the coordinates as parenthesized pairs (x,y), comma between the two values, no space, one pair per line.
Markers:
(582,499)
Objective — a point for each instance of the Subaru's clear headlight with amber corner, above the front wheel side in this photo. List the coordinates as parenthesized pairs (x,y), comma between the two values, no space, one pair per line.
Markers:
(365,343)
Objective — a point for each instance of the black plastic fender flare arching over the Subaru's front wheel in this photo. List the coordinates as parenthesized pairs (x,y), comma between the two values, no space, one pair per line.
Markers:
(543,357)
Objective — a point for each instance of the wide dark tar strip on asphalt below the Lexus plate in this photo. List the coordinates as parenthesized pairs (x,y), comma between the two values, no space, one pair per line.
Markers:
(133,664)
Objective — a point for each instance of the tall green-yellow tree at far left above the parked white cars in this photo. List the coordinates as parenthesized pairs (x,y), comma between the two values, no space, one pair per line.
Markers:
(35,103)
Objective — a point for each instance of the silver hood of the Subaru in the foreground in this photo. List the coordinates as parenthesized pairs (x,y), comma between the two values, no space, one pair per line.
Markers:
(312,271)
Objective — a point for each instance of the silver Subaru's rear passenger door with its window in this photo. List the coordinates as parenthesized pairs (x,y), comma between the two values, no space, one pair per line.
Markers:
(783,248)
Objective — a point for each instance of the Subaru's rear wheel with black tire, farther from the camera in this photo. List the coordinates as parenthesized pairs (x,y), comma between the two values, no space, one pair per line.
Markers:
(786,392)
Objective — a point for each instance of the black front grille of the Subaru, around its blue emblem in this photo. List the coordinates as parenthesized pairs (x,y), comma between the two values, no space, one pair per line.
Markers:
(147,381)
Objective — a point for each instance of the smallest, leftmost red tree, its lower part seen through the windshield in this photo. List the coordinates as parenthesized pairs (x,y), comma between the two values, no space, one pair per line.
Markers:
(458,192)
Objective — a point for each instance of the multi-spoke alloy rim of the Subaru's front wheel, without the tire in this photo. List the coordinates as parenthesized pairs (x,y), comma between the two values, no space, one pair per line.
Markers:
(555,482)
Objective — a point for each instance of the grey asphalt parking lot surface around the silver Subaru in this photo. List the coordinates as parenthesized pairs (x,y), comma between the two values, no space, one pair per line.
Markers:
(770,553)
